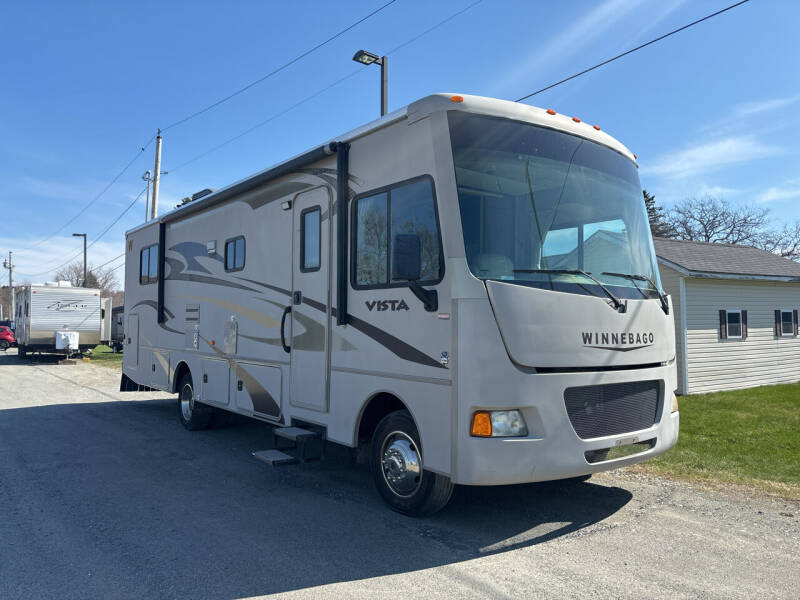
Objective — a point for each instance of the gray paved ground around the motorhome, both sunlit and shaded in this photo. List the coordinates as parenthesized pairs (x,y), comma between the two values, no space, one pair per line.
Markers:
(104,495)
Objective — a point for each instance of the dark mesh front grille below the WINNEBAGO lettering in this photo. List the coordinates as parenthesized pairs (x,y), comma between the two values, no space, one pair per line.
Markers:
(600,410)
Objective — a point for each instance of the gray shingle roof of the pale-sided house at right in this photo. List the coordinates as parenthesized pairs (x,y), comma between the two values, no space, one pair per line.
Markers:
(728,259)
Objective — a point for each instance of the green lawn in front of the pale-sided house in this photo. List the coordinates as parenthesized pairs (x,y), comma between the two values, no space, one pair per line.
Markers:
(749,437)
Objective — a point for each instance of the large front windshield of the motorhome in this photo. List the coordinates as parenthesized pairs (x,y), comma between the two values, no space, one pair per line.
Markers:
(538,206)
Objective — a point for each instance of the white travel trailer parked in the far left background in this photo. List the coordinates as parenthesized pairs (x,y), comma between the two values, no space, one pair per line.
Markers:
(45,310)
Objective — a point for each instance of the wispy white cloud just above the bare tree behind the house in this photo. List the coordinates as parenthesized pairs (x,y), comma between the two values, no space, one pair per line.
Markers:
(702,158)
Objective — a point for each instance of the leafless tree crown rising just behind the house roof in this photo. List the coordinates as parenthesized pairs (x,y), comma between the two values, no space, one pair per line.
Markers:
(710,219)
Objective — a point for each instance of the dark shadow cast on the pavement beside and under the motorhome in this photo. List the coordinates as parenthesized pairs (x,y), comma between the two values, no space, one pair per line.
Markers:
(121,491)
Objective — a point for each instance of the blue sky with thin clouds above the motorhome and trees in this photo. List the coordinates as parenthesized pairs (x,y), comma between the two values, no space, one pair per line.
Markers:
(713,109)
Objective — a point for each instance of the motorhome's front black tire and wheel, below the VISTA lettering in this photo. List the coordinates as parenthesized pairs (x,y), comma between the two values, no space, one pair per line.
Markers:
(414,495)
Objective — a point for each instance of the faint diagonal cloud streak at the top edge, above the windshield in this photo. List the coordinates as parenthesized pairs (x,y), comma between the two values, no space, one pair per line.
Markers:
(569,41)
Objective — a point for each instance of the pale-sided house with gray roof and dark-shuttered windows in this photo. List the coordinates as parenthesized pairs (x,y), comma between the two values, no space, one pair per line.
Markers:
(736,314)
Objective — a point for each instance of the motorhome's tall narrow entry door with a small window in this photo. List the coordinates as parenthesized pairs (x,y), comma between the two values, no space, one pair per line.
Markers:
(311,299)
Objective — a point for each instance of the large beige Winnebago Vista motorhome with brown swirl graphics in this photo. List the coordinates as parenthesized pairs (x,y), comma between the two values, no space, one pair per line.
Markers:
(467,287)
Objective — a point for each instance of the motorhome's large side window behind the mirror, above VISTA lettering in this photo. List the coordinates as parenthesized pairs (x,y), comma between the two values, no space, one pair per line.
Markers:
(408,207)
